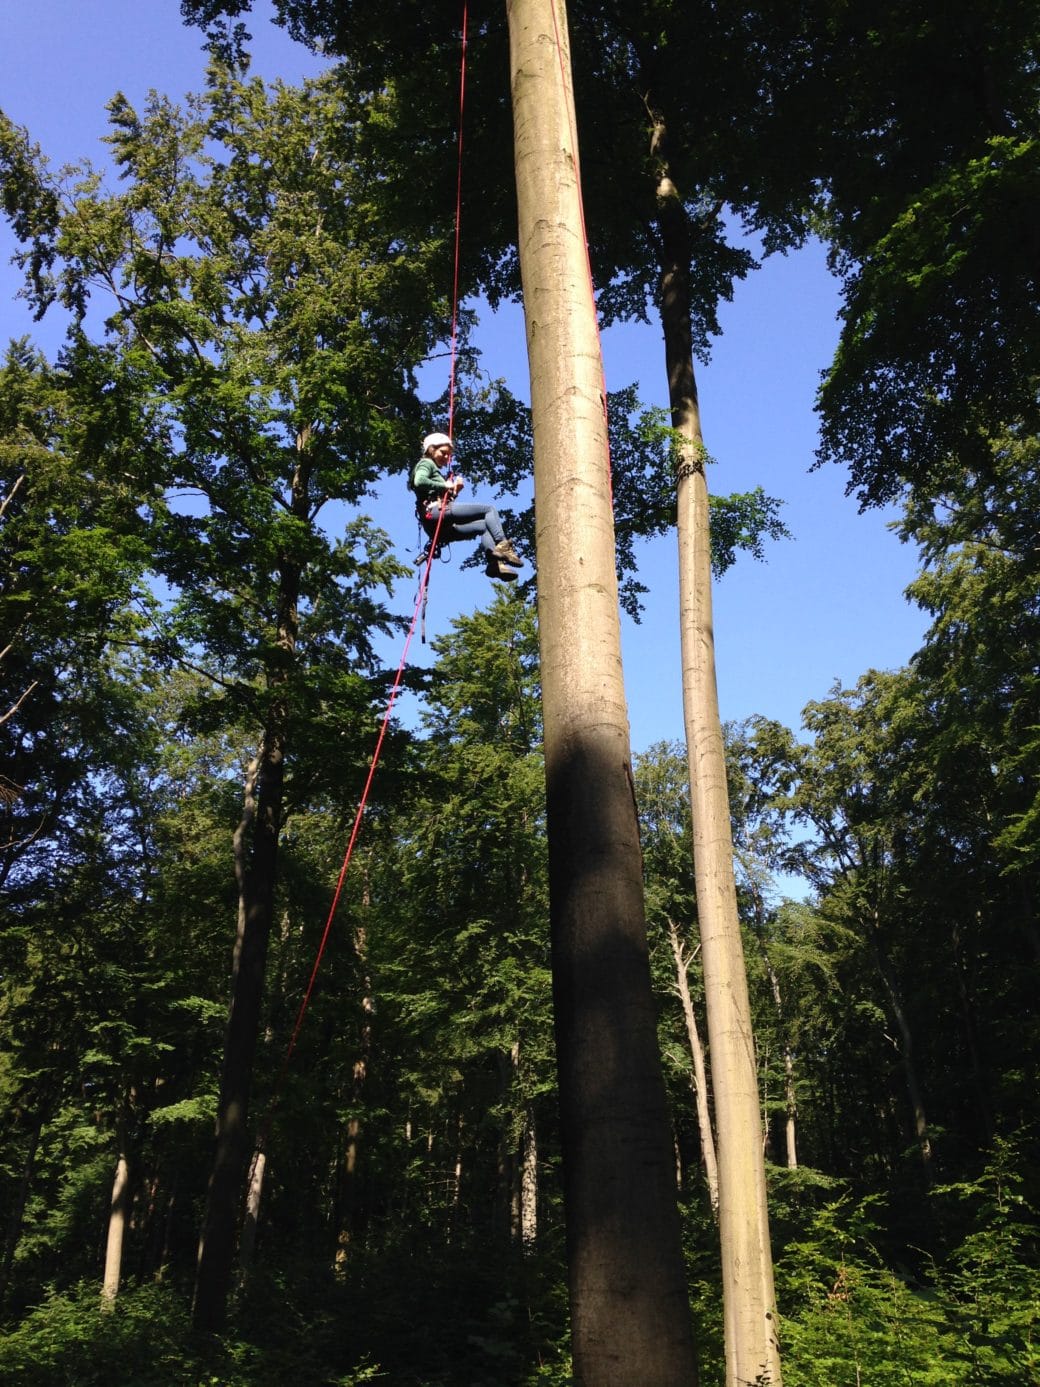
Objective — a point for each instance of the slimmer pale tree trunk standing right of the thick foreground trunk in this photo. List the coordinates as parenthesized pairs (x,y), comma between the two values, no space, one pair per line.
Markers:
(752,1347)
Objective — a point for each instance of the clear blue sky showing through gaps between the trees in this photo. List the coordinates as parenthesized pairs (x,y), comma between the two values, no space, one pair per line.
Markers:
(827,605)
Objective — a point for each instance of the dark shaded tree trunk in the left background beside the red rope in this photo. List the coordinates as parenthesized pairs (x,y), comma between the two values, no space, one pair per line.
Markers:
(256,866)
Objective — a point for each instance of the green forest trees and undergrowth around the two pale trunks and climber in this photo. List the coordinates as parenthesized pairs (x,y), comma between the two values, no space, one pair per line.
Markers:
(193,603)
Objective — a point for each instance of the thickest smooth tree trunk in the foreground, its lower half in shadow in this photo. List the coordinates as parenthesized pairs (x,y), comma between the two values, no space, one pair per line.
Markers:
(630,1313)
